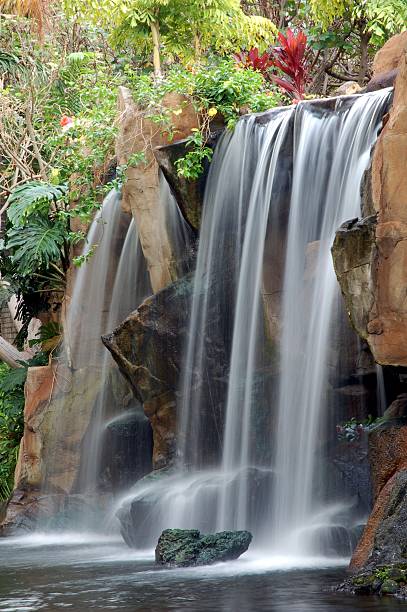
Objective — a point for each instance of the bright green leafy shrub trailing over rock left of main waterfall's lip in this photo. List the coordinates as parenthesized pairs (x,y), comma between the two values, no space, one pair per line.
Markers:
(217,88)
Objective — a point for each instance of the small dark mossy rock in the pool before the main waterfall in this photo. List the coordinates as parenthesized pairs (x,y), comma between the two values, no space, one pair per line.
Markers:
(187,547)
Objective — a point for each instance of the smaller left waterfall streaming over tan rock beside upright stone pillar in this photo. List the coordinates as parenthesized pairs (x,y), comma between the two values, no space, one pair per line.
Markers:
(108,286)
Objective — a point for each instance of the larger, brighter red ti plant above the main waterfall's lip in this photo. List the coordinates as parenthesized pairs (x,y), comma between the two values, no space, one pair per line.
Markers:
(290,58)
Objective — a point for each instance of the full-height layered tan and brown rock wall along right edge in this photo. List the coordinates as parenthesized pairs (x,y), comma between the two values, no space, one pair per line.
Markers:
(370,257)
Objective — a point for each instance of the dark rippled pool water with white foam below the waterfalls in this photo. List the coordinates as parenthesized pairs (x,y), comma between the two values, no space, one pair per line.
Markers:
(67,572)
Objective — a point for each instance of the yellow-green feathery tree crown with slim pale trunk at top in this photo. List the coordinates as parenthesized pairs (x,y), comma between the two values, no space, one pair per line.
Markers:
(184,28)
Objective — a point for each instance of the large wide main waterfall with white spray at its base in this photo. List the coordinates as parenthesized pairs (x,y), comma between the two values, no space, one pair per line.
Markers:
(253,404)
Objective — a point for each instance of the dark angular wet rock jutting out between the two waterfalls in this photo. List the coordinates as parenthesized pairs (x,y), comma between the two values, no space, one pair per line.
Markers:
(147,348)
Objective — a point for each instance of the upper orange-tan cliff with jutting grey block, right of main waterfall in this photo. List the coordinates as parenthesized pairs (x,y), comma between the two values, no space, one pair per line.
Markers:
(370,256)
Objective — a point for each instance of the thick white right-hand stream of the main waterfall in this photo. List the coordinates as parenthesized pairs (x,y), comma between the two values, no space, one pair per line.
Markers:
(330,156)
